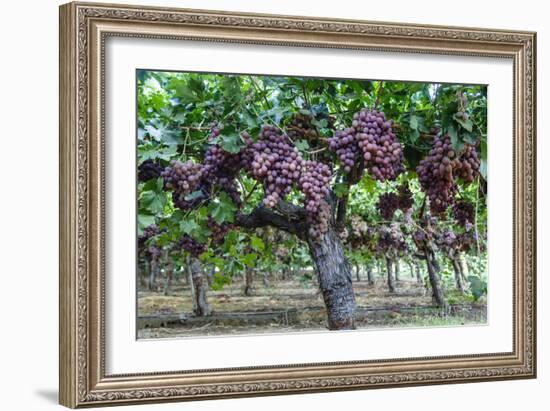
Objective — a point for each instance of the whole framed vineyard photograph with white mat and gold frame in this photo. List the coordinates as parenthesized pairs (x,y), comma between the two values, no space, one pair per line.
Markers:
(259,204)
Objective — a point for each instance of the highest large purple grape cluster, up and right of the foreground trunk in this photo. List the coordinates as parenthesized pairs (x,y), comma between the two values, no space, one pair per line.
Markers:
(371,143)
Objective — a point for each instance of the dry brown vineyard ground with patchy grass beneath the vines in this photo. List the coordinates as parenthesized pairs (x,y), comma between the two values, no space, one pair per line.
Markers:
(291,306)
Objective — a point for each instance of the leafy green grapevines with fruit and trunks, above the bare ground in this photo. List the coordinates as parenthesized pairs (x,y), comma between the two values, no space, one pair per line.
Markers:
(315,181)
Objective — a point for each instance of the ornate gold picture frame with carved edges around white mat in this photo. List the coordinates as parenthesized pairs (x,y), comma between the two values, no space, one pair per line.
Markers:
(83,30)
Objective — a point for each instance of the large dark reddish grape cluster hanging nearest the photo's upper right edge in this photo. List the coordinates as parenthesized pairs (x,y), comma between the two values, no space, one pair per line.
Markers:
(437,172)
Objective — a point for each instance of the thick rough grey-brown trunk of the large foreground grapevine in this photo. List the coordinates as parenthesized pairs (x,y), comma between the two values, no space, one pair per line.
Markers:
(335,281)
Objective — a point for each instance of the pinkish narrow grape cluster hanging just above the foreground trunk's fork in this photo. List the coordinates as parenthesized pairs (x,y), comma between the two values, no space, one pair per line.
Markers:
(314,183)
